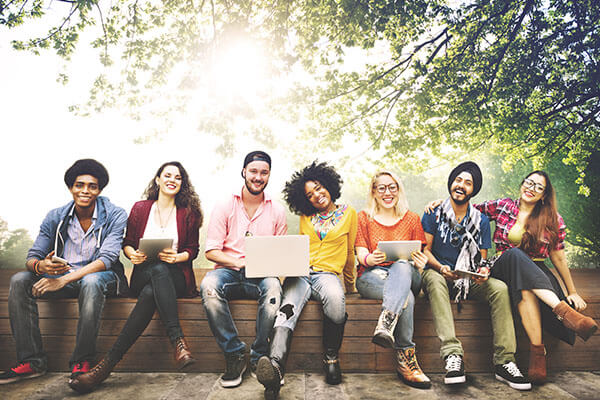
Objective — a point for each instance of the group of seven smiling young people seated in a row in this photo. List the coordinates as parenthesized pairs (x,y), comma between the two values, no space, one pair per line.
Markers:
(76,255)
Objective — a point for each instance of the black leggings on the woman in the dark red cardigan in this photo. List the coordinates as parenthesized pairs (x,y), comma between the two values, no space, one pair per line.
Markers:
(156,286)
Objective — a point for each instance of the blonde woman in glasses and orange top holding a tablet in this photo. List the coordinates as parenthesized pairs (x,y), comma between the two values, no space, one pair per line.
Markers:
(387,218)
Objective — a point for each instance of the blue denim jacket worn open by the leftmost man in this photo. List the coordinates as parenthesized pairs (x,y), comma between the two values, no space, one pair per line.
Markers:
(109,229)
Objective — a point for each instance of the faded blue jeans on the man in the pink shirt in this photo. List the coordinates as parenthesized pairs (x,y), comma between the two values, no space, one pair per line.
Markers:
(223,284)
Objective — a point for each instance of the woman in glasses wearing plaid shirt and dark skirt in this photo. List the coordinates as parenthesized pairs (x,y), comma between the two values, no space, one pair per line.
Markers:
(528,231)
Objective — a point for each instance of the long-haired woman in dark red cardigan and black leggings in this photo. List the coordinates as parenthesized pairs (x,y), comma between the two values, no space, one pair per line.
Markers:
(172,211)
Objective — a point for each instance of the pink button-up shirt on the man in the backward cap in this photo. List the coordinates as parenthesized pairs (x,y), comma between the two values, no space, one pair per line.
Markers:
(229,224)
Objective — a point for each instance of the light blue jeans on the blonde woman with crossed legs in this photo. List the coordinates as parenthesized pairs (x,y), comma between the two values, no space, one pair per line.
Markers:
(396,285)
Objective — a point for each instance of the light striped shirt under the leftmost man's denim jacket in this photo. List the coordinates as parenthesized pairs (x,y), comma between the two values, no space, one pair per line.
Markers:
(79,245)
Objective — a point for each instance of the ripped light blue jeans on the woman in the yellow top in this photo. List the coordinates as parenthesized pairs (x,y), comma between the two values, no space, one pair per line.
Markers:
(324,287)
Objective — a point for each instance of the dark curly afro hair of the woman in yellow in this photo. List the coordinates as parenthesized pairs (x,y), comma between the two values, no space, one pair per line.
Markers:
(294,194)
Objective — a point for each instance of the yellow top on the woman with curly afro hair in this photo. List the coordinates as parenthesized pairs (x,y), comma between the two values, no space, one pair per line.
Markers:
(335,253)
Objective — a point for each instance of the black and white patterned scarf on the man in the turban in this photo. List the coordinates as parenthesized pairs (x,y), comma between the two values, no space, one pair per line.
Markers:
(466,236)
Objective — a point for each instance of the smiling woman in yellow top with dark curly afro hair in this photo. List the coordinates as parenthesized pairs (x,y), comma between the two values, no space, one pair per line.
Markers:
(331,228)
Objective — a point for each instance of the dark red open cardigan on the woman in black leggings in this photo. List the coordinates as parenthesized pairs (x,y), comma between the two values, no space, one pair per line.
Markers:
(188,227)
